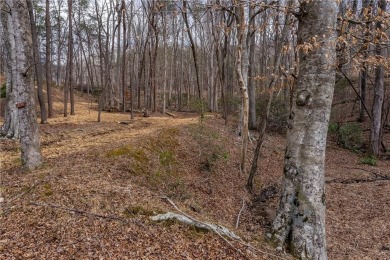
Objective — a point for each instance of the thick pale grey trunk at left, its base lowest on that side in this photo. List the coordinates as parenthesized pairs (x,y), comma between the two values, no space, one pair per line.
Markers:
(22,83)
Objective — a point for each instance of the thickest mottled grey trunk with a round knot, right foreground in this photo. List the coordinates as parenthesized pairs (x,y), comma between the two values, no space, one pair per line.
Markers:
(300,220)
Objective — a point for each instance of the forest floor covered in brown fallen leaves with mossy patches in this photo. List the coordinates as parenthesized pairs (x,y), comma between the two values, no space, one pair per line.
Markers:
(101,182)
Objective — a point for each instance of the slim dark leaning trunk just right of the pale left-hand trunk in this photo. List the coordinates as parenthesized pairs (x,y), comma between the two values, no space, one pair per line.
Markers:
(37,63)
